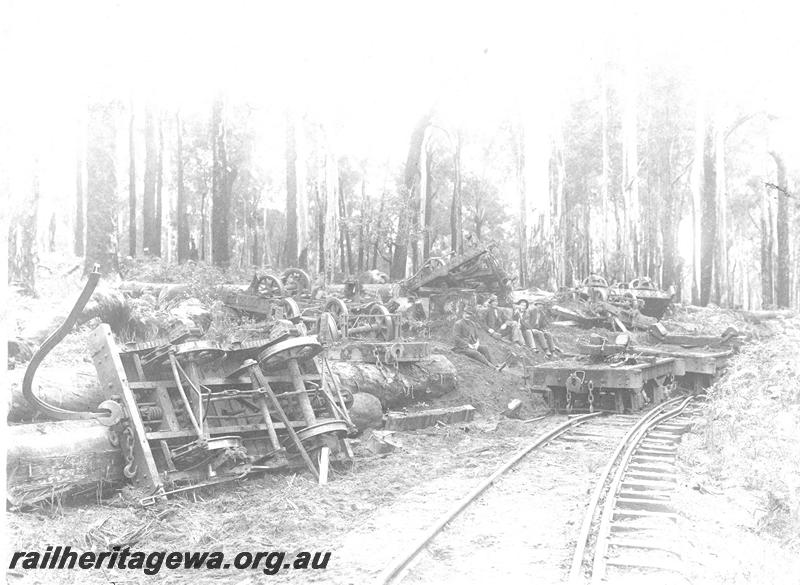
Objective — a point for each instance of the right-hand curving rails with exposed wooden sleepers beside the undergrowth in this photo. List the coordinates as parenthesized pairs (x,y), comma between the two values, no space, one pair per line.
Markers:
(630,529)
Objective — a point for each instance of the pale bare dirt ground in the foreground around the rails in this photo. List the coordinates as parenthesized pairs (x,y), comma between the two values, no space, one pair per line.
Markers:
(371,509)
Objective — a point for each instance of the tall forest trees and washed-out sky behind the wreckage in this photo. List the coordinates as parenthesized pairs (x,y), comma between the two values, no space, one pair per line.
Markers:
(623,140)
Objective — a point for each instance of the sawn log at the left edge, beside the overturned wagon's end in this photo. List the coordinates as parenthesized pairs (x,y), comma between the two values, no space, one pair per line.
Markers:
(72,460)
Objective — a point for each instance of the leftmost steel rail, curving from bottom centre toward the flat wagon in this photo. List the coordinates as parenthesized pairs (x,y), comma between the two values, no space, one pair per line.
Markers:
(400,562)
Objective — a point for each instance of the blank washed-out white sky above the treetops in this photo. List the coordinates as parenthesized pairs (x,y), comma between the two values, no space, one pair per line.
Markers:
(372,68)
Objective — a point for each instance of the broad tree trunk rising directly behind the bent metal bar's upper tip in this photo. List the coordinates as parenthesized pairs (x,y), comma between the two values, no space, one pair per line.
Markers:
(101,185)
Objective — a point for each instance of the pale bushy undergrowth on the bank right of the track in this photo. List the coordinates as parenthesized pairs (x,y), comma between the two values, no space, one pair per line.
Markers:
(754,425)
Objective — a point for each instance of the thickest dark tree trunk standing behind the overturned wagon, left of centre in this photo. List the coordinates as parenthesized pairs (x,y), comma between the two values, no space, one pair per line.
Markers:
(220,188)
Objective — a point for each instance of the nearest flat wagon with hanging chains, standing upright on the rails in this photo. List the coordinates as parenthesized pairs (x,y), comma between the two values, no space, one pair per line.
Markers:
(573,384)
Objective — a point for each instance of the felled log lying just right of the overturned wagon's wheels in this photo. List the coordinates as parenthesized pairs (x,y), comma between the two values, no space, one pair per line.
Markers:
(396,387)
